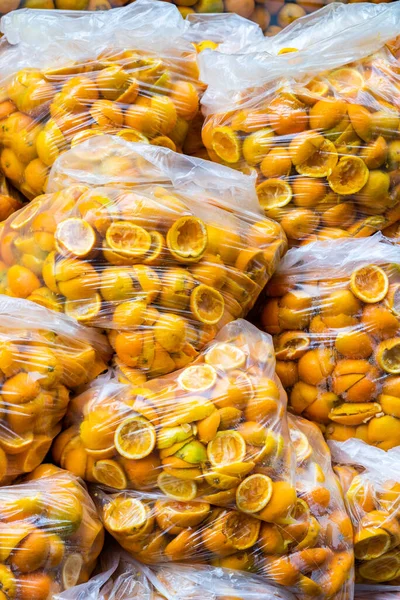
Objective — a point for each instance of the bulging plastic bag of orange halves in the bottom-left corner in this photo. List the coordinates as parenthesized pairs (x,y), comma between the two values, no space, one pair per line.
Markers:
(50,535)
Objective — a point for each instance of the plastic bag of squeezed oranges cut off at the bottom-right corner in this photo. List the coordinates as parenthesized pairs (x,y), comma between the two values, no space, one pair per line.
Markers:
(370,479)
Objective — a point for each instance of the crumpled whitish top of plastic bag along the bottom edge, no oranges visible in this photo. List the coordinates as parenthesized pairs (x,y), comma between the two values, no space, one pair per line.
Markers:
(126,579)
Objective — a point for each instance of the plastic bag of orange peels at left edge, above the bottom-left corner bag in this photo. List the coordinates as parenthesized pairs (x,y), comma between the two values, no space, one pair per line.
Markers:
(43,356)
